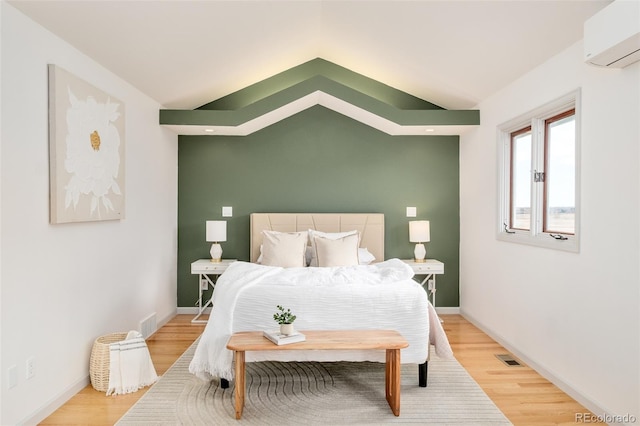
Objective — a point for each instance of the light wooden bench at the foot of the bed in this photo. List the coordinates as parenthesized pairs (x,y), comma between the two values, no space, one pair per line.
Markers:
(389,340)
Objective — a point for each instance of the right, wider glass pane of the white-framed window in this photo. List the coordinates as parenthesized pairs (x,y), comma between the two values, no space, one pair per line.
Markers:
(560,176)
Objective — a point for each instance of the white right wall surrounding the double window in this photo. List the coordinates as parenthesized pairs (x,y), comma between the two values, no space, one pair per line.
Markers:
(573,316)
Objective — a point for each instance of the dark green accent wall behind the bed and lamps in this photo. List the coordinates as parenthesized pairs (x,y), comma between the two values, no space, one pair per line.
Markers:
(319,161)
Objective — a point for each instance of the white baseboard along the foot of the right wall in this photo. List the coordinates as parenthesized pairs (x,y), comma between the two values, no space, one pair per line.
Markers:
(553,378)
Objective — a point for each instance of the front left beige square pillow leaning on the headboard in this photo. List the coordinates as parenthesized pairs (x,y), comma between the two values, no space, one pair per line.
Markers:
(285,249)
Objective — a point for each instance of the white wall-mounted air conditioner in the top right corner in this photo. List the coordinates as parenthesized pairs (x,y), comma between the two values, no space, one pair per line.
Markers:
(612,36)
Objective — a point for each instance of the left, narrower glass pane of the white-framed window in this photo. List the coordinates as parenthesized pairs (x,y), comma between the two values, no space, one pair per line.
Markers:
(521,180)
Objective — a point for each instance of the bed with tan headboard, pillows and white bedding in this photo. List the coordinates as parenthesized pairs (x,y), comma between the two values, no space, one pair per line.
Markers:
(379,294)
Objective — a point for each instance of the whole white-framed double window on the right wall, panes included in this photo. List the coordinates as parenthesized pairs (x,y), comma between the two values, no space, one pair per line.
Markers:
(539,176)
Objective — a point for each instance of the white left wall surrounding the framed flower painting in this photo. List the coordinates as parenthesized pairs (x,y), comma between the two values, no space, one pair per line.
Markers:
(64,285)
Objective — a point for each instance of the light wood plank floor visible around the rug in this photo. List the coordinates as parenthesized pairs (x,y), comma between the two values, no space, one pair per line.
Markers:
(523,395)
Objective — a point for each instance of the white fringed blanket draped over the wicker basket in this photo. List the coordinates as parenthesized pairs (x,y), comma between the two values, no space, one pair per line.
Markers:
(130,365)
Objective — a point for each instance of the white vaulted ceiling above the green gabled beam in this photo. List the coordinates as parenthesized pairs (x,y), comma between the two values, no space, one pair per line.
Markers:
(187,53)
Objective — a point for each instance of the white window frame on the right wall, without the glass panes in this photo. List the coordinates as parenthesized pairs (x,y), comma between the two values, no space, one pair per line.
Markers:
(536,119)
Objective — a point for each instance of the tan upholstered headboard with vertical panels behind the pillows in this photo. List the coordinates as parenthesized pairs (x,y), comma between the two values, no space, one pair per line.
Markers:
(370,226)
